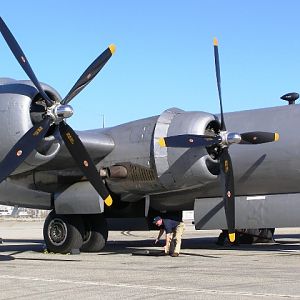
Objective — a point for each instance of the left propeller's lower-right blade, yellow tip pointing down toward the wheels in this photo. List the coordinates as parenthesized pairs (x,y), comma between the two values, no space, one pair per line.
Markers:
(84,161)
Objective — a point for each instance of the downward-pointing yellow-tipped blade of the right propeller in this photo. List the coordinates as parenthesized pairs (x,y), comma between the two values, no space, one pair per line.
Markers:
(228,197)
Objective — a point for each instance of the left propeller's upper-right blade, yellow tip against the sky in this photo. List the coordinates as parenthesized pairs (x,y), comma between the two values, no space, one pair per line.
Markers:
(89,74)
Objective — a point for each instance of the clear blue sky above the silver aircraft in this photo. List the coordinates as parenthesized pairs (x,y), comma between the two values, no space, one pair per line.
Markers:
(164,55)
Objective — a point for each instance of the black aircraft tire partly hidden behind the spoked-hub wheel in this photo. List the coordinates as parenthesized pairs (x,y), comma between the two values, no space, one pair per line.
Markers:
(96,233)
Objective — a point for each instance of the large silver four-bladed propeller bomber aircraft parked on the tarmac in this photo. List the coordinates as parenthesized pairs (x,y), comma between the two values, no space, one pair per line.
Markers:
(230,174)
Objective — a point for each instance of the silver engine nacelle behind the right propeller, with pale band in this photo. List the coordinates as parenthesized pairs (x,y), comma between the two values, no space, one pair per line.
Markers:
(184,167)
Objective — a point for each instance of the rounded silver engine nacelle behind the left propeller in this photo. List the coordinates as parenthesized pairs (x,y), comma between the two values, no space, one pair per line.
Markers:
(17,116)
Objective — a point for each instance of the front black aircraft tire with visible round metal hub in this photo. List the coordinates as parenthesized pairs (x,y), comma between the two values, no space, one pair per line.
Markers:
(62,233)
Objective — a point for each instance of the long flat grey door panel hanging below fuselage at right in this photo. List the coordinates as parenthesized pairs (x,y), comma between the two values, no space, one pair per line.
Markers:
(262,211)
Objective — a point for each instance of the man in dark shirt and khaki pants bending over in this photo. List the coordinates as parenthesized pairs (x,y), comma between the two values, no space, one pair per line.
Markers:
(174,230)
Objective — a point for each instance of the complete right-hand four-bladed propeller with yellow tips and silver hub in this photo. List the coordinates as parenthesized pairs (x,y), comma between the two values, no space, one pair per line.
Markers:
(223,139)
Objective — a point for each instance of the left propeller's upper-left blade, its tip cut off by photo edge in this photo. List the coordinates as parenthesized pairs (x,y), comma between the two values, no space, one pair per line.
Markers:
(21,58)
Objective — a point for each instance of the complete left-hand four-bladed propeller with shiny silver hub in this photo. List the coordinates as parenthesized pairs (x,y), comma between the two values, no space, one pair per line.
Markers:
(55,115)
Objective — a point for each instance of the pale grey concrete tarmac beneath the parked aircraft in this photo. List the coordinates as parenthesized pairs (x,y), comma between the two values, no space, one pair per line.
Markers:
(202,271)
